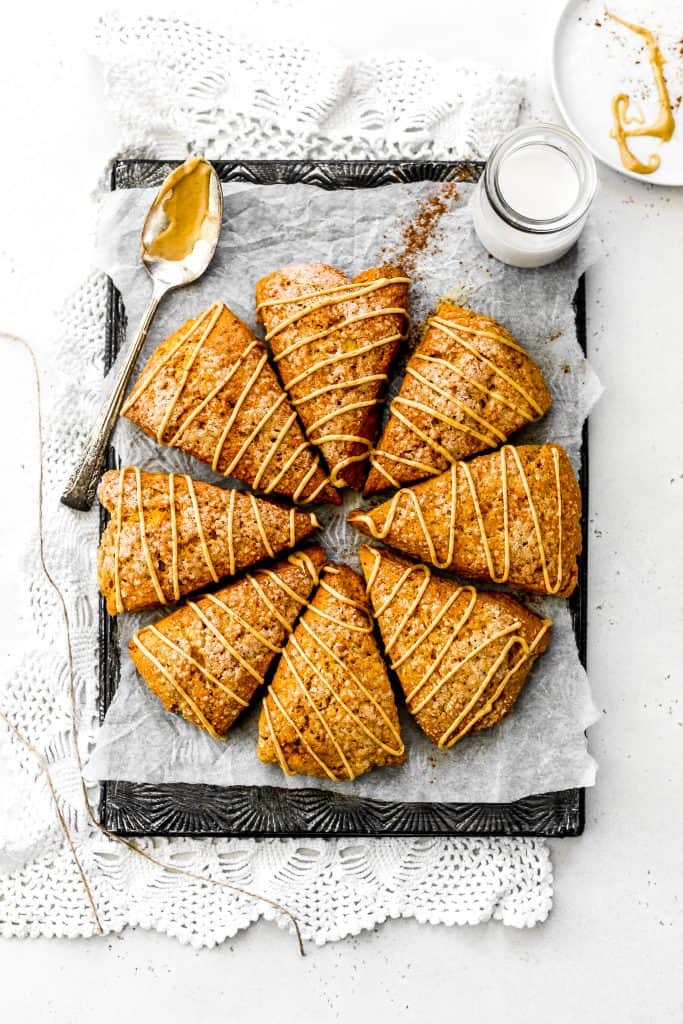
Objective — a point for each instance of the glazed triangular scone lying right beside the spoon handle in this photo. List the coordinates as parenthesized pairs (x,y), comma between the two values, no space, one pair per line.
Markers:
(210,391)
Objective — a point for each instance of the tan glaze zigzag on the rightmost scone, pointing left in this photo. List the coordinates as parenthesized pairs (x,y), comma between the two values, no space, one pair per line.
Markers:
(409,495)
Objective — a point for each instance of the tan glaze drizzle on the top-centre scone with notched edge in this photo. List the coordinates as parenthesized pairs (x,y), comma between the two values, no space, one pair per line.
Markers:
(333,296)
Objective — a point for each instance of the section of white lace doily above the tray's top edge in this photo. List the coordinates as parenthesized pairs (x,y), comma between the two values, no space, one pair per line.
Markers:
(175,87)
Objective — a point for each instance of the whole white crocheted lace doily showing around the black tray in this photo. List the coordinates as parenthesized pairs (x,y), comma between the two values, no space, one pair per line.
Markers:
(175,88)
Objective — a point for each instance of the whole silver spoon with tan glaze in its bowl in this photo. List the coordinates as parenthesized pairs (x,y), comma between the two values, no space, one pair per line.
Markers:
(180,238)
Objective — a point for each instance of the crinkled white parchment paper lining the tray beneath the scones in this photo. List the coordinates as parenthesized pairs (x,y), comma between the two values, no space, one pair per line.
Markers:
(541,746)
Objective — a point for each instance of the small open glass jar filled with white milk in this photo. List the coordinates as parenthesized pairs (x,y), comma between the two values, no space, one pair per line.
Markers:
(533,199)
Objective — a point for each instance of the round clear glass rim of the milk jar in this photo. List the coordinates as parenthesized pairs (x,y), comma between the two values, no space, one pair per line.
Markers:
(572,148)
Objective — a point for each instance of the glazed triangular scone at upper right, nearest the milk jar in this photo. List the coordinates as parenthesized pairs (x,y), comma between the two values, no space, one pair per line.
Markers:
(467,388)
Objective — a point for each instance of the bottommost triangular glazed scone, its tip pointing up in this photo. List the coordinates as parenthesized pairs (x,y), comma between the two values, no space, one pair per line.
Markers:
(330,710)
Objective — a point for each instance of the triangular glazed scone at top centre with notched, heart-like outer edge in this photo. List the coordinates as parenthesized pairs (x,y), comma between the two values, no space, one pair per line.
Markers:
(334,340)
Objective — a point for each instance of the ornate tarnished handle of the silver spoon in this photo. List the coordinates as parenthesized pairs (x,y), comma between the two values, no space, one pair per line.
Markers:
(80,492)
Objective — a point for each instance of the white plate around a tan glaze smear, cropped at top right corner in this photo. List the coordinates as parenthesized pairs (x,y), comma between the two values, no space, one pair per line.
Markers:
(594,58)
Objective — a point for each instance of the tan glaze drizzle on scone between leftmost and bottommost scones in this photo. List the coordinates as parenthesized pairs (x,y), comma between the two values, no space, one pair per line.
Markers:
(300,560)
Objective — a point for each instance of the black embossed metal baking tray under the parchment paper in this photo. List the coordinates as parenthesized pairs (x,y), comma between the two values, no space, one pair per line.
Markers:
(182,809)
